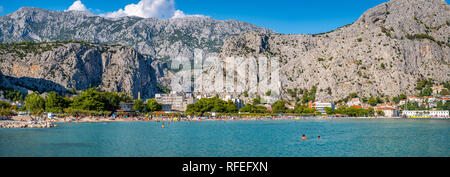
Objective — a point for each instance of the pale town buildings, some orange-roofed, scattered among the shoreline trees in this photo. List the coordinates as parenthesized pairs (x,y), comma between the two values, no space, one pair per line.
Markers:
(177,102)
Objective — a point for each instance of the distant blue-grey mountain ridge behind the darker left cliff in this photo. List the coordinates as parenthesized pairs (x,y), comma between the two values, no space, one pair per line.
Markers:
(159,38)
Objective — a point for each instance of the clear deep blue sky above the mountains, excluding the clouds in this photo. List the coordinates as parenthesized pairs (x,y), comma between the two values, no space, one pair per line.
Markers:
(283,16)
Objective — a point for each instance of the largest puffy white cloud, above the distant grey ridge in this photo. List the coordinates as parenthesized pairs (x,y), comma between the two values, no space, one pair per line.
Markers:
(150,8)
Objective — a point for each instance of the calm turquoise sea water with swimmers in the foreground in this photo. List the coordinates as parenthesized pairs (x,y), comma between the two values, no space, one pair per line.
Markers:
(339,138)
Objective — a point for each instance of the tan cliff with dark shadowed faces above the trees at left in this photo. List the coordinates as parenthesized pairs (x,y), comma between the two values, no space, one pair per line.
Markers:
(46,67)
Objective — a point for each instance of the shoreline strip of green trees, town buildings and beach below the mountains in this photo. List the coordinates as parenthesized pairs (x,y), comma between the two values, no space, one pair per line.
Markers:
(193,106)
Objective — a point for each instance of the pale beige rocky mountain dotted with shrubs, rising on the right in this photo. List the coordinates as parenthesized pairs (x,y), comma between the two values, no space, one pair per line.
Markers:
(384,52)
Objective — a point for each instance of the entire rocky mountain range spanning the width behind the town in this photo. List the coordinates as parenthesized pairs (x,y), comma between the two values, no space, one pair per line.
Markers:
(384,53)
